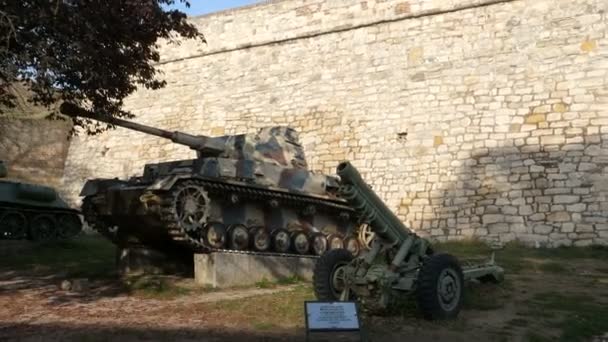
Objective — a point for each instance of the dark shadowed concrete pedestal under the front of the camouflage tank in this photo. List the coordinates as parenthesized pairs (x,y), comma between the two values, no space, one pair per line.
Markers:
(141,260)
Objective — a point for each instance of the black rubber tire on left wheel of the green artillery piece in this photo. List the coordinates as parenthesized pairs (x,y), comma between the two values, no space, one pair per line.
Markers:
(323,272)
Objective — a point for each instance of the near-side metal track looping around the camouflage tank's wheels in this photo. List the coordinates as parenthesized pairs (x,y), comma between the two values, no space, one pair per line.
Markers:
(181,237)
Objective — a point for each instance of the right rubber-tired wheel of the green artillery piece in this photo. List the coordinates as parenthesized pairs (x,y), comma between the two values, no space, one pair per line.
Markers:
(440,289)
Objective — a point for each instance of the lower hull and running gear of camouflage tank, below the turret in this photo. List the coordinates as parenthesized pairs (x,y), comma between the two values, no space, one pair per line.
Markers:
(127,213)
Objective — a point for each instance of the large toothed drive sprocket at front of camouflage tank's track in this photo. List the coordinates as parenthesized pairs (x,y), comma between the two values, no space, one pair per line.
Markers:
(191,205)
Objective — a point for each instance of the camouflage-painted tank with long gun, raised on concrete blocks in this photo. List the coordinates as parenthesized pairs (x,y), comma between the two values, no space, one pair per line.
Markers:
(246,192)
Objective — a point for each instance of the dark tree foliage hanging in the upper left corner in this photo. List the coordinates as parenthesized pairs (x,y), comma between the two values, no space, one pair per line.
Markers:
(93,53)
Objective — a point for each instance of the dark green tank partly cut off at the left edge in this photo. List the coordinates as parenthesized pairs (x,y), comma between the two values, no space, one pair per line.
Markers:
(34,212)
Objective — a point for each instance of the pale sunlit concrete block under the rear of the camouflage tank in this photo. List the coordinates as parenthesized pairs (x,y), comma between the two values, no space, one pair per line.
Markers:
(233,269)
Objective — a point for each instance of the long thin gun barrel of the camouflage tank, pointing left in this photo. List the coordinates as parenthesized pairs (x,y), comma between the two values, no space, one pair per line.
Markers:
(199,143)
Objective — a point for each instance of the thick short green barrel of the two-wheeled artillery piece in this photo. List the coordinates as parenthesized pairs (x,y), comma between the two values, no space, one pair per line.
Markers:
(374,212)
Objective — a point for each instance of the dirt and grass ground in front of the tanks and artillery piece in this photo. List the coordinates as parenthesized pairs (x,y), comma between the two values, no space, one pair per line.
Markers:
(532,305)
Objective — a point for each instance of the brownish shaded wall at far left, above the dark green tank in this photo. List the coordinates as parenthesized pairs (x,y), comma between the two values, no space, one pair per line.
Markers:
(34,149)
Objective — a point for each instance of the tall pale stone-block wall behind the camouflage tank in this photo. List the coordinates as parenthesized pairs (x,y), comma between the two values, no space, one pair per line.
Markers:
(469,118)
